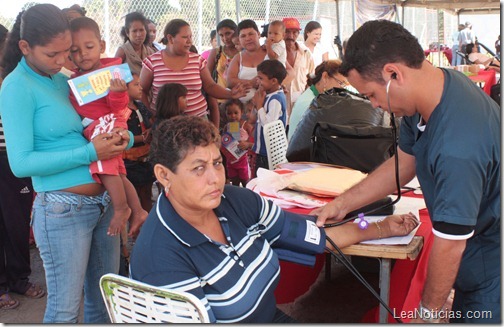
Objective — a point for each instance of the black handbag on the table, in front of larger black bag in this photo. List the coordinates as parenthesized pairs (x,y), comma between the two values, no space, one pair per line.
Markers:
(361,148)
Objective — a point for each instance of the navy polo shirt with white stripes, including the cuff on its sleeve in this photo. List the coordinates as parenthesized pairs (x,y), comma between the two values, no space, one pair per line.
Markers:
(236,281)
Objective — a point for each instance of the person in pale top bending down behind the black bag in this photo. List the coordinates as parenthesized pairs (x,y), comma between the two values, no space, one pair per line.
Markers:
(326,77)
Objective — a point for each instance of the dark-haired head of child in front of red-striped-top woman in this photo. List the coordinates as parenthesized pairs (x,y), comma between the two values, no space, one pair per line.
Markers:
(171,102)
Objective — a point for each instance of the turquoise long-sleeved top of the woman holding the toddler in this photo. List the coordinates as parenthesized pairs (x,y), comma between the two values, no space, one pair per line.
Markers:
(43,132)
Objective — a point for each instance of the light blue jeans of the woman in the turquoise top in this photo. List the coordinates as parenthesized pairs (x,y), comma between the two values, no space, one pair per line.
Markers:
(76,252)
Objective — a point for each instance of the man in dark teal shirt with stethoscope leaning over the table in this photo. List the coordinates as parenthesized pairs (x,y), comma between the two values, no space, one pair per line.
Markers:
(450,138)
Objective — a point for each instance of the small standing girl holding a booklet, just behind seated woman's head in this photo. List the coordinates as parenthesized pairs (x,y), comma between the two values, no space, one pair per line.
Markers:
(238,169)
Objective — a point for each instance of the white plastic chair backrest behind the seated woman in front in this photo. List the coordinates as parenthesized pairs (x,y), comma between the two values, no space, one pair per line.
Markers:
(131,301)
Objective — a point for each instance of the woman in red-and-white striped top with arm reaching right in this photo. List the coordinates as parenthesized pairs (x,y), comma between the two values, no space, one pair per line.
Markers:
(175,64)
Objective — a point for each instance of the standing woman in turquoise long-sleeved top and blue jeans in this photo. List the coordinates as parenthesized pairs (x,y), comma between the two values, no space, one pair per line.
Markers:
(44,141)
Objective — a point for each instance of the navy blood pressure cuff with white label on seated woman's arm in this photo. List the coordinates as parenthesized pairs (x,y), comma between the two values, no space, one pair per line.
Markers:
(300,240)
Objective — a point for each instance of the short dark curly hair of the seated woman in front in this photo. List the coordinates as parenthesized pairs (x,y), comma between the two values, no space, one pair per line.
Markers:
(175,137)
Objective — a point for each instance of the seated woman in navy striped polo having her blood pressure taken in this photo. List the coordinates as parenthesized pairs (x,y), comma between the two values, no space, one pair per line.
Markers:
(220,242)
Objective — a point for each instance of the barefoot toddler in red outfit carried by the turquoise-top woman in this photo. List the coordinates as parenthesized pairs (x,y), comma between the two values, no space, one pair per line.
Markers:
(104,115)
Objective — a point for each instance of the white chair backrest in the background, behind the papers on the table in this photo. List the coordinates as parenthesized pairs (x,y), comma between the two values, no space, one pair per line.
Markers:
(276,143)
